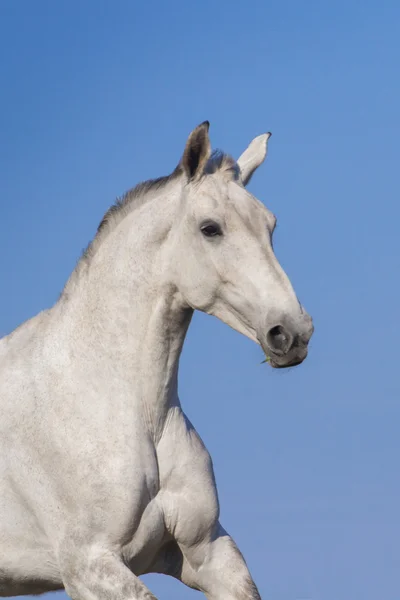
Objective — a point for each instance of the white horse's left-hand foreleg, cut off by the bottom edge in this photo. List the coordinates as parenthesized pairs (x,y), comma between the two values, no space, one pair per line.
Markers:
(96,571)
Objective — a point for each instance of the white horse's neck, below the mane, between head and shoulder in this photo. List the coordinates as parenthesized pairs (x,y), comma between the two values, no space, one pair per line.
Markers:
(125,318)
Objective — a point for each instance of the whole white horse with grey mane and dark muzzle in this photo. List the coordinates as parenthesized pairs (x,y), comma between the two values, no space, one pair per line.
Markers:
(102,476)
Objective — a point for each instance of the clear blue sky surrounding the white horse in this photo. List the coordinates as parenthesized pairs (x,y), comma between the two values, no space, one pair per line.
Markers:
(96,96)
